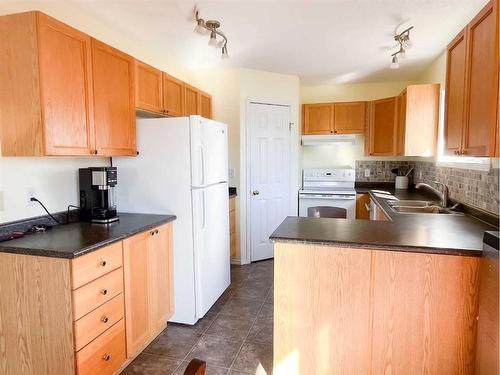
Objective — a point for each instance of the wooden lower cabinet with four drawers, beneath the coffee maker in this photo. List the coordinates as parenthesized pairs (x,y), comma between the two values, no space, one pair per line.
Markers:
(88,315)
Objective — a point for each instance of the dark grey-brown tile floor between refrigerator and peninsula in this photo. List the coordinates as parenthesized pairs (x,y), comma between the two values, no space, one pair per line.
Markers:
(234,337)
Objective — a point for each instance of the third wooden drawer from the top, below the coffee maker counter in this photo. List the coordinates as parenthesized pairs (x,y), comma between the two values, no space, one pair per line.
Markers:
(97,321)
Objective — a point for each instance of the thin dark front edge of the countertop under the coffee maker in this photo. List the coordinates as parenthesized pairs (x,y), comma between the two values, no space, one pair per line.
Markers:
(84,250)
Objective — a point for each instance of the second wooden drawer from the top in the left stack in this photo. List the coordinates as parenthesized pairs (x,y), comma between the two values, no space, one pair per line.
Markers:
(94,294)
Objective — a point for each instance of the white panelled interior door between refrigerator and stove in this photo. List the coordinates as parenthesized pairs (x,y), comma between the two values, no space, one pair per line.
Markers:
(269,164)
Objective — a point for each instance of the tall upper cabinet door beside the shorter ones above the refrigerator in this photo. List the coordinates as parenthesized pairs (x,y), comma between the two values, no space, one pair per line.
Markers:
(114,112)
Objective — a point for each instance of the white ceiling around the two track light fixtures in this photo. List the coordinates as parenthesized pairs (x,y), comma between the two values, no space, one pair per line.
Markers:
(323,42)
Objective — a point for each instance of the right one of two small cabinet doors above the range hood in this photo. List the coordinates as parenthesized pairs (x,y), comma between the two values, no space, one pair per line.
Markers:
(349,118)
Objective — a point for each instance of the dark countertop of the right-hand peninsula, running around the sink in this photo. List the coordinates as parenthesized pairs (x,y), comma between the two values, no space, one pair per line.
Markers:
(423,233)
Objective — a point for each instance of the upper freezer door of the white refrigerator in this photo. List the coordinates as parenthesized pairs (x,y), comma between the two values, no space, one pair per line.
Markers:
(209,163)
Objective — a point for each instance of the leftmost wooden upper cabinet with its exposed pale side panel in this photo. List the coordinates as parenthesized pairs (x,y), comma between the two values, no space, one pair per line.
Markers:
(45,87)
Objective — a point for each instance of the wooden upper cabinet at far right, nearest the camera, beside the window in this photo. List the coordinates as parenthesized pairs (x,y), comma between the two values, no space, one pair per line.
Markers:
(472,87)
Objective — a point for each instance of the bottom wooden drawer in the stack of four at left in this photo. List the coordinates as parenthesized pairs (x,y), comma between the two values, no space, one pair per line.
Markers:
(105,355)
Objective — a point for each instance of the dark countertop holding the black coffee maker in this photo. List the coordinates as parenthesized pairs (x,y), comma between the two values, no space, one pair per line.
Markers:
(79,238)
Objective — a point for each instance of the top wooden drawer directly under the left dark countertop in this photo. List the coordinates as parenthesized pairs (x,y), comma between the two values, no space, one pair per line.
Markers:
(91,266)
